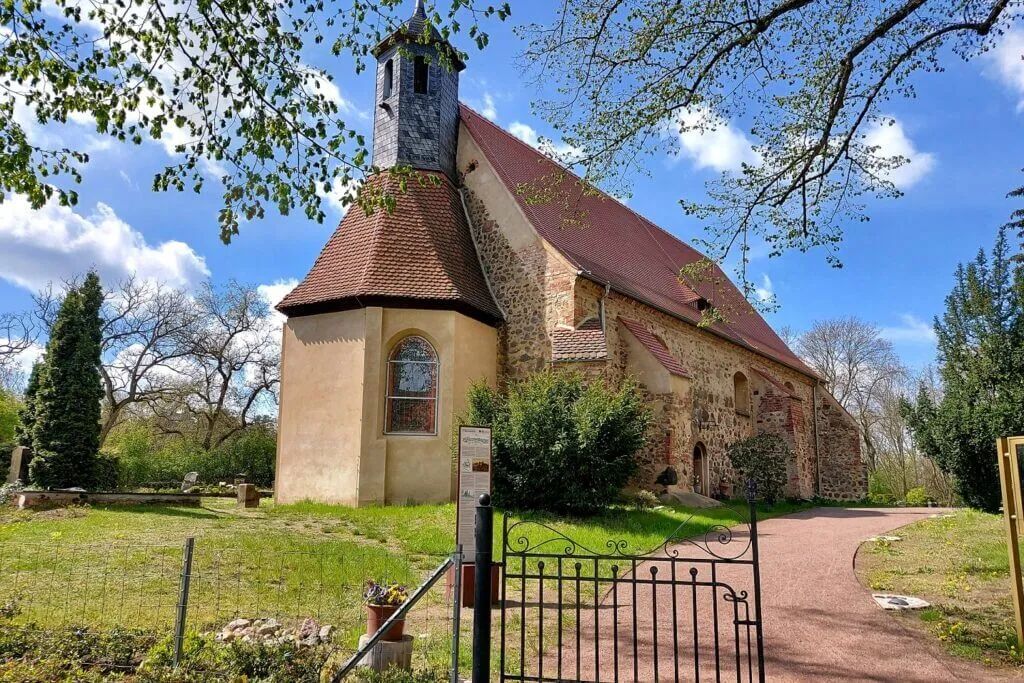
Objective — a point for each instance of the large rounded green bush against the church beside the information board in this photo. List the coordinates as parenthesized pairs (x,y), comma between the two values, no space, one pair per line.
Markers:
(563,444)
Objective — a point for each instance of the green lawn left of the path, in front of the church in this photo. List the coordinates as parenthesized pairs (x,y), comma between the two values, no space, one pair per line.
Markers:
(120,566)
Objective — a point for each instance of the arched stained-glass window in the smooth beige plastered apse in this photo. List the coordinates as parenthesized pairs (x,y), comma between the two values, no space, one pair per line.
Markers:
(412,389)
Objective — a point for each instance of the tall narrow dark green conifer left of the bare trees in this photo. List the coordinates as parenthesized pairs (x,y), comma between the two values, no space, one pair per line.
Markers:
(67,402)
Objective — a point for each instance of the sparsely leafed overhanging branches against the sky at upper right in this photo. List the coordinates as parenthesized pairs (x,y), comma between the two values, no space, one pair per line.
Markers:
(809,78)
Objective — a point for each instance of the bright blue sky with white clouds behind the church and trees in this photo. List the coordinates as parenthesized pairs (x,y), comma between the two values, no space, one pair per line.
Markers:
(963,135)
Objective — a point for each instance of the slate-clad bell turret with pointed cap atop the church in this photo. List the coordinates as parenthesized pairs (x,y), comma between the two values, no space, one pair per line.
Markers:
(416,116)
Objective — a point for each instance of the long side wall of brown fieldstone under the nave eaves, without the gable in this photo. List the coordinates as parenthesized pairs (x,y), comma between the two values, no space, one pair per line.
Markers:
(709,416)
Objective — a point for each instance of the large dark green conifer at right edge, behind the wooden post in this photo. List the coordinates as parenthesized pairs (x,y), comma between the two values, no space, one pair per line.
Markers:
(982,365)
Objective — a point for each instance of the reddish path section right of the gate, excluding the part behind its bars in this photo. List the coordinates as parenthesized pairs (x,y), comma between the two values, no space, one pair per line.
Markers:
(821,623)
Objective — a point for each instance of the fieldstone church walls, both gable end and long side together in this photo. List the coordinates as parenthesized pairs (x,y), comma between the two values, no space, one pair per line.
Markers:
(539,292)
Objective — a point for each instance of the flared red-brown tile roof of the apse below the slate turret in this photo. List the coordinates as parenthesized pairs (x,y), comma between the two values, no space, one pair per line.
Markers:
(421,254)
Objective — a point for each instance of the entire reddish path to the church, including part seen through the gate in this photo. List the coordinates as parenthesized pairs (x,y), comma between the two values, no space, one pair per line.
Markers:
(820,623)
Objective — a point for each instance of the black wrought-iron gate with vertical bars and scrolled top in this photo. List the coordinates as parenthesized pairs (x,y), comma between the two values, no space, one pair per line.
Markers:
(688,611)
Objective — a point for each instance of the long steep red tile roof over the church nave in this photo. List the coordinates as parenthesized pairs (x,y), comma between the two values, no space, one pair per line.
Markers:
(615,245)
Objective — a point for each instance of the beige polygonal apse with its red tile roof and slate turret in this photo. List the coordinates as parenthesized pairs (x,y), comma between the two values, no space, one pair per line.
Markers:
(395,320)
